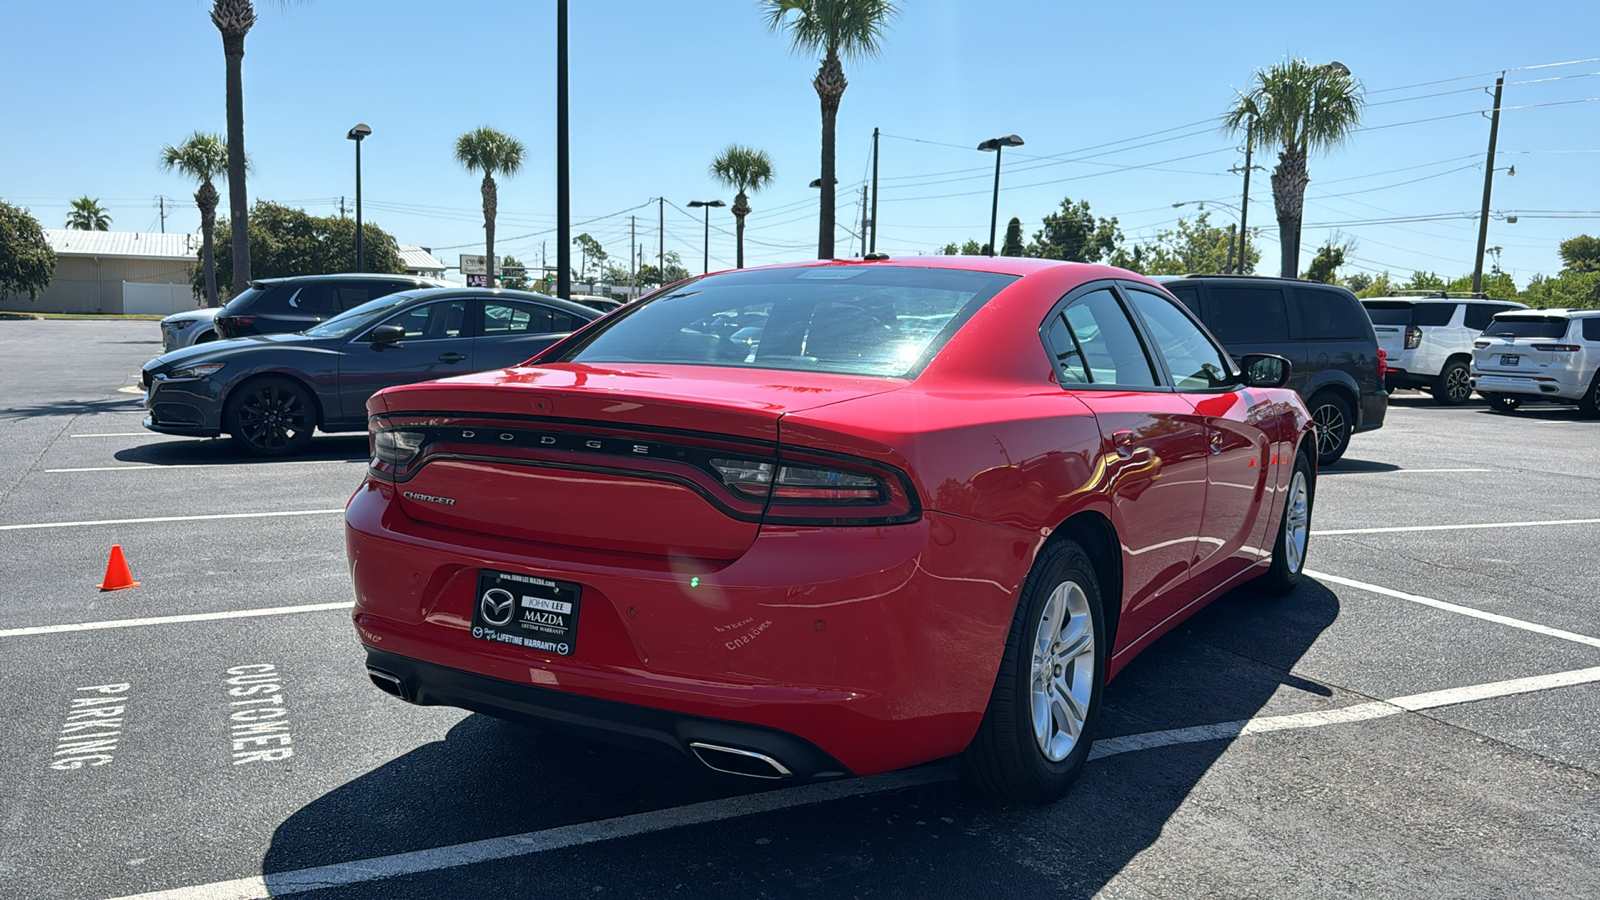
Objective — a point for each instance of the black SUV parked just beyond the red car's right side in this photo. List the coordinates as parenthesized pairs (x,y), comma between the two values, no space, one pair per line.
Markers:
(1324,332)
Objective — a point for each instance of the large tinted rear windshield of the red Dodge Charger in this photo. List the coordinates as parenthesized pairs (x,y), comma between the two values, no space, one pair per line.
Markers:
(886,321)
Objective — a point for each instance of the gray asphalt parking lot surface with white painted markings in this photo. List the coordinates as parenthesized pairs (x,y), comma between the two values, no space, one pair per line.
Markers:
(1420,721)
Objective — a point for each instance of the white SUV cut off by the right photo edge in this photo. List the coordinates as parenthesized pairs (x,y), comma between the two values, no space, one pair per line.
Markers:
(1546,355)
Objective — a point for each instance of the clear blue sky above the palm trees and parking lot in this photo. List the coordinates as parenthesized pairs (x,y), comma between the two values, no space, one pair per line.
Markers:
(662,86)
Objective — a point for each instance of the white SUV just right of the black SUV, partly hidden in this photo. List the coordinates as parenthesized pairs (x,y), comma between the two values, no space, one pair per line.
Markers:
(1428,340)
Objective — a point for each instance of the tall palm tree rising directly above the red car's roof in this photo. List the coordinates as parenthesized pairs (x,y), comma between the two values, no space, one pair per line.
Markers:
(834,28)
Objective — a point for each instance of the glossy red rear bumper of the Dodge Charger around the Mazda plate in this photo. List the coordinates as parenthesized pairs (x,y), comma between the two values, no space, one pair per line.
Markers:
(878,646)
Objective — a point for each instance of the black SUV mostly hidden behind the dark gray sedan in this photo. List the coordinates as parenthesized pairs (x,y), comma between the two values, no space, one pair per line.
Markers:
(273,307)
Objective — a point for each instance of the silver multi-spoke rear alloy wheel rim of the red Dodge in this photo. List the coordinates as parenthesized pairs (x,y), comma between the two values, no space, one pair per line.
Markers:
(1063,673)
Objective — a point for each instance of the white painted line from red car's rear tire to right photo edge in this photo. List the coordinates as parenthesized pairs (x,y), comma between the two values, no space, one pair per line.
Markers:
(1359,713)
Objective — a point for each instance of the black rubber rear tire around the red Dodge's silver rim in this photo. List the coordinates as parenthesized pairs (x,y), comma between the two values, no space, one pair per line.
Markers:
(1006,761)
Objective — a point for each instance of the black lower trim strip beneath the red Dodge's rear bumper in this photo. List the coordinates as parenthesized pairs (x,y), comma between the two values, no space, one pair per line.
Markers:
(626,725)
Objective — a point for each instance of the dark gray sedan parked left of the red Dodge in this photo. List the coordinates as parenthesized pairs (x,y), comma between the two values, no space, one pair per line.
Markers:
(271,392)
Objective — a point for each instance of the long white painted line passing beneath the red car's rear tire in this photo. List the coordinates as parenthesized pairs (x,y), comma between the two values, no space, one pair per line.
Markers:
(417,862)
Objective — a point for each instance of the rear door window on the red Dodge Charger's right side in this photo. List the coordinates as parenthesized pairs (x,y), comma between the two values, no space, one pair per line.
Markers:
(1095,344)
